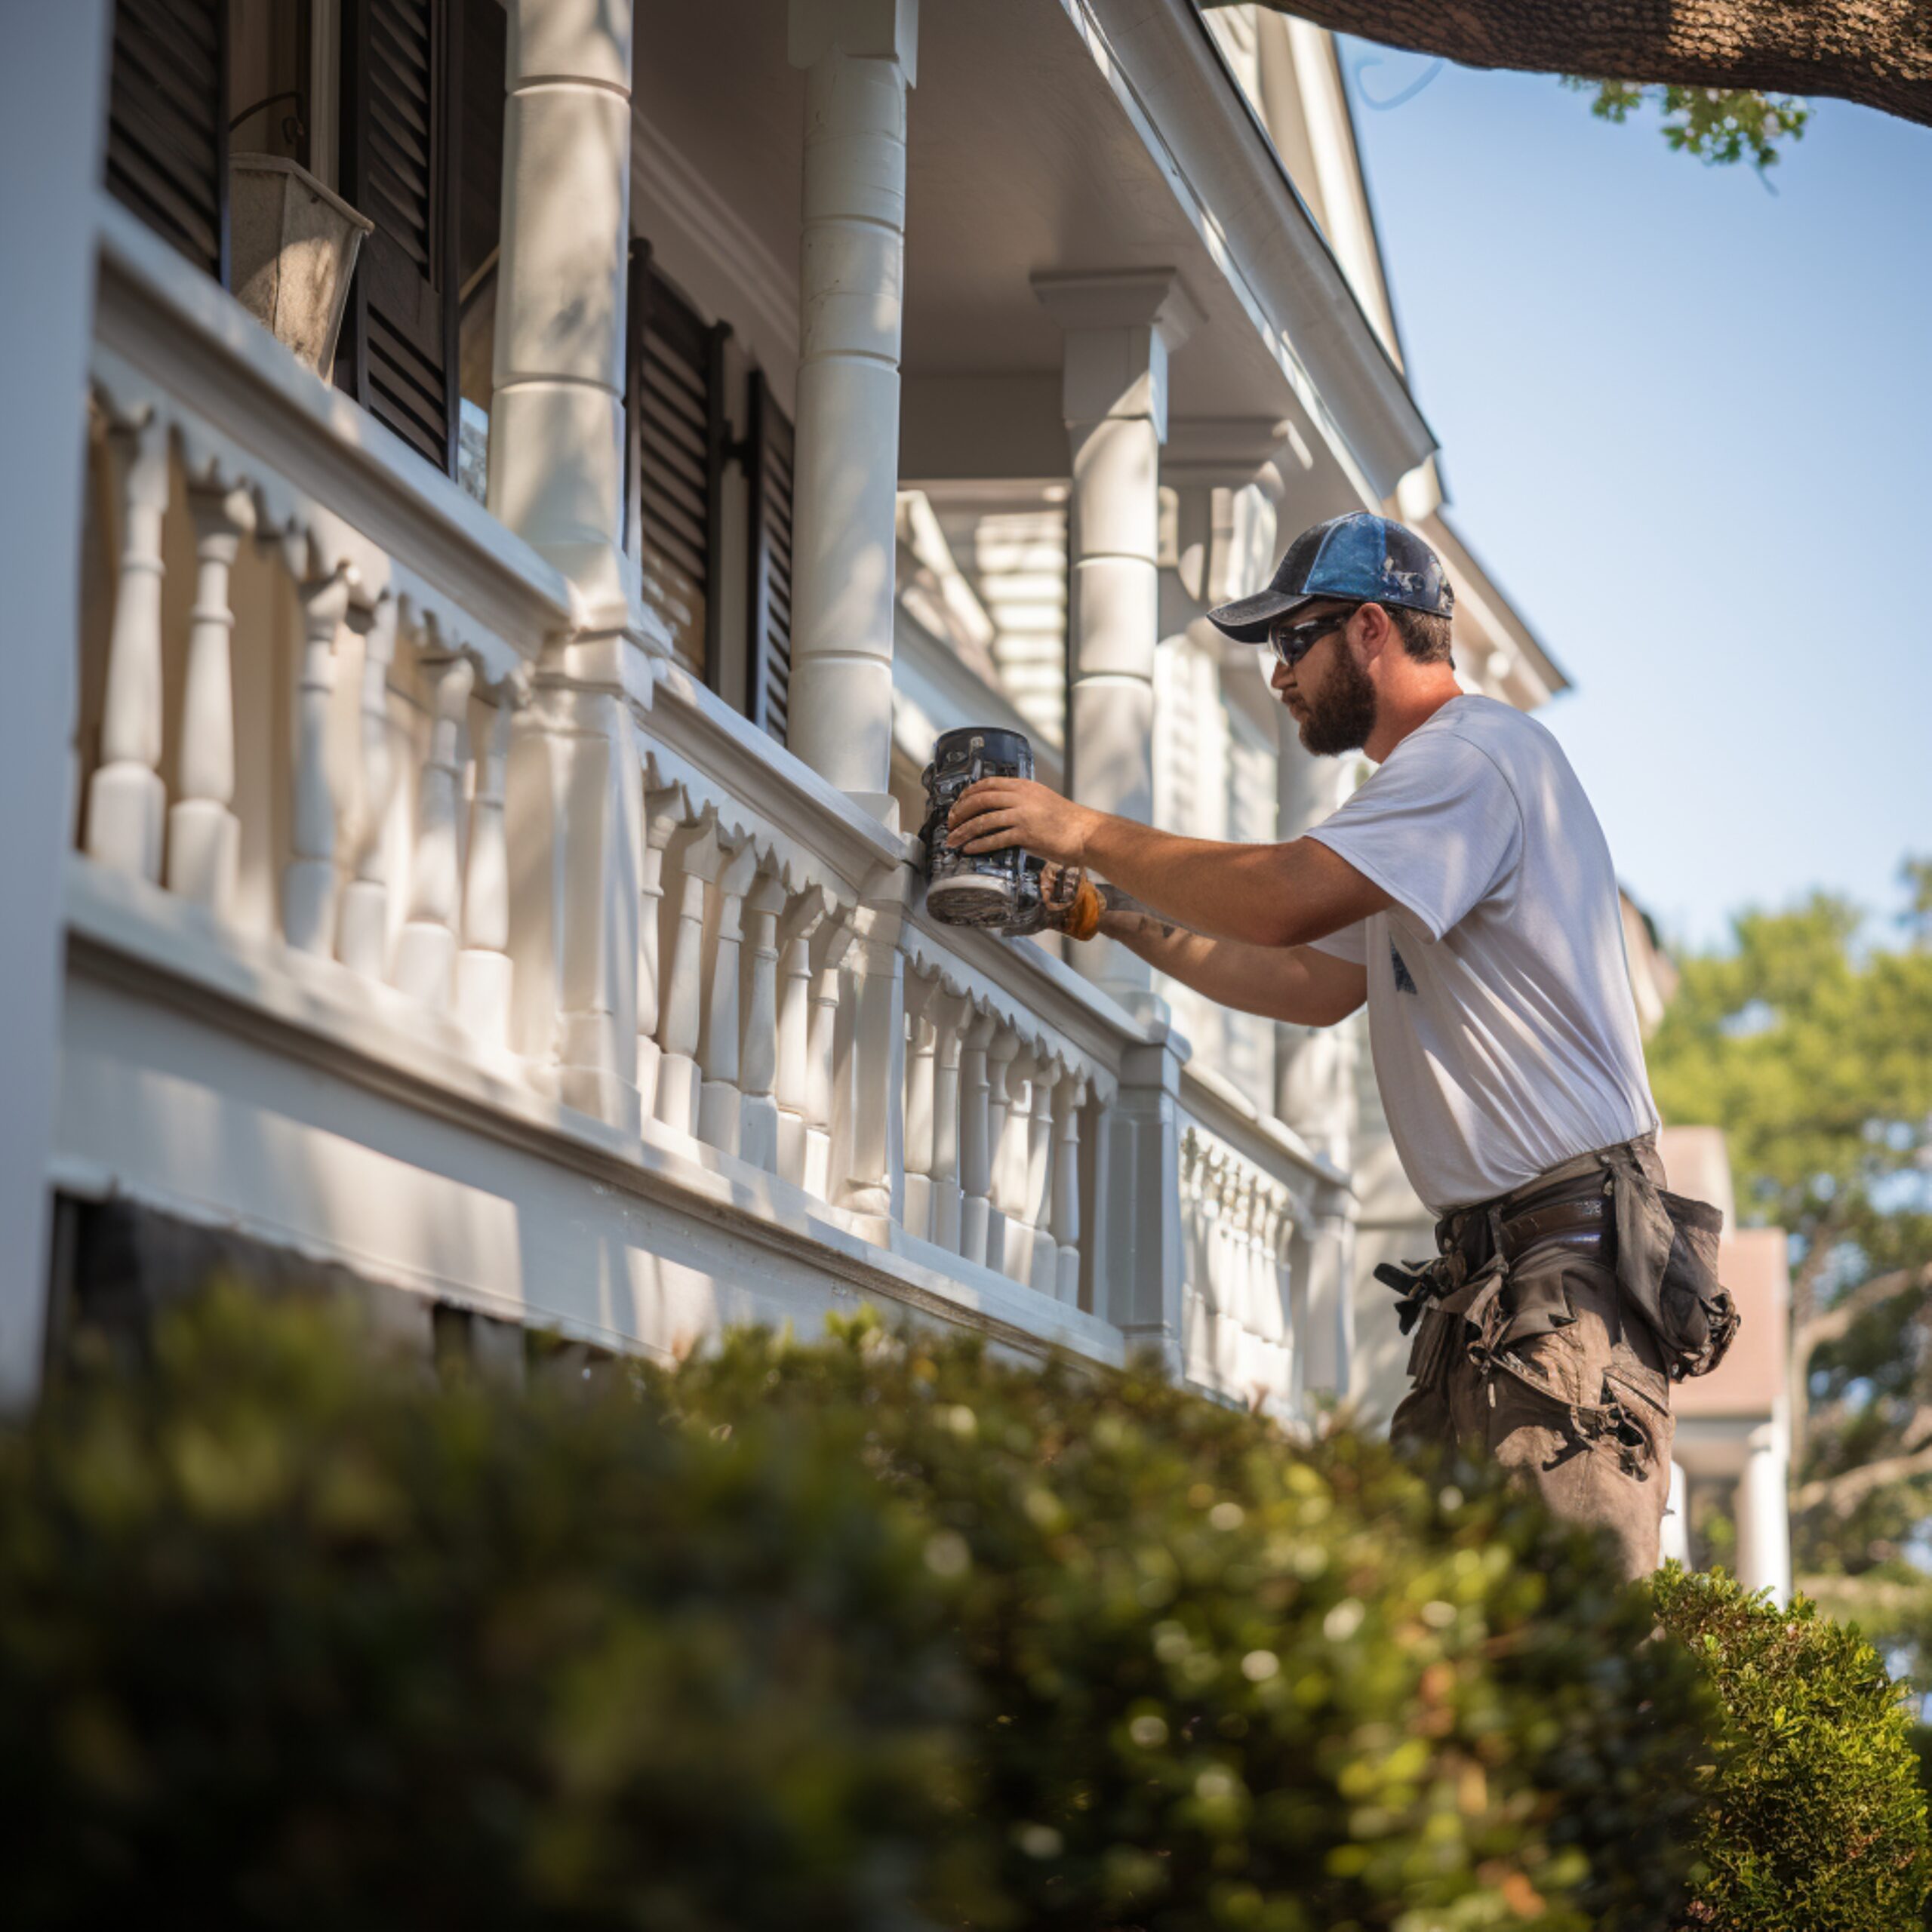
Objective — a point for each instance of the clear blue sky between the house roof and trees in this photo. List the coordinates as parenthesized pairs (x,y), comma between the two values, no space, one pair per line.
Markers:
(1688,426)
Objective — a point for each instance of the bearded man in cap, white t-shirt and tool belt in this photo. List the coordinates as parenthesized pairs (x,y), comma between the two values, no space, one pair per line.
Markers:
(1467,895)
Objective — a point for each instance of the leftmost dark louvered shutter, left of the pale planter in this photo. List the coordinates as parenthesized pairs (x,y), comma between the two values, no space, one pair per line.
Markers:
(169,123)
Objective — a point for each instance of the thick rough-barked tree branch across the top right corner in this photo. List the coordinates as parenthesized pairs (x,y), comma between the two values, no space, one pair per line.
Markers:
(1877,53)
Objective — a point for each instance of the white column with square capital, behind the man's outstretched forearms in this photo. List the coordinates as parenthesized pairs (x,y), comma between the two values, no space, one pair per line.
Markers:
(1120,335)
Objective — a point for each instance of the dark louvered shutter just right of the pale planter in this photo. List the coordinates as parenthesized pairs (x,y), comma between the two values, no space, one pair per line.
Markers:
(399,167)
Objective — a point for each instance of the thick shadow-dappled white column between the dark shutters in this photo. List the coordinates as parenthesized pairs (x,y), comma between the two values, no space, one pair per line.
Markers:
(557,387)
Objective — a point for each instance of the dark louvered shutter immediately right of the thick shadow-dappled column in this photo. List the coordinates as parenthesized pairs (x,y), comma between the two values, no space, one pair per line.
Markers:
(675,457)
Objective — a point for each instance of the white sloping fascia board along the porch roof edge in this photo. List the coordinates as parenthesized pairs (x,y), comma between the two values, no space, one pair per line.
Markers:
(1162,65)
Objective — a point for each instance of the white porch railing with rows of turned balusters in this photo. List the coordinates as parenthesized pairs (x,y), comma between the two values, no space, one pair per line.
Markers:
(329,702)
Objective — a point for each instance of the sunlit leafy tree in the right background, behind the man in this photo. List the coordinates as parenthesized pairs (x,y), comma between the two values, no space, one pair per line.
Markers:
(1813,1050)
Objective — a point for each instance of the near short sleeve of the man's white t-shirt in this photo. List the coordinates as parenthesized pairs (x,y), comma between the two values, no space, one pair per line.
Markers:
(1438,830)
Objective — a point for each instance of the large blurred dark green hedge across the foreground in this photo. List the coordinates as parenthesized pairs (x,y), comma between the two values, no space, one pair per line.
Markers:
(870,1635)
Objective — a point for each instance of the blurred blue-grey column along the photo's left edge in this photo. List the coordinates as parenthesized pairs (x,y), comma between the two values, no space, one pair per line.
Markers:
(53,117)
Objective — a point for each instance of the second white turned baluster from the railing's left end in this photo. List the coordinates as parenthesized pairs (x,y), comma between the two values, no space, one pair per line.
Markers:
(204,832)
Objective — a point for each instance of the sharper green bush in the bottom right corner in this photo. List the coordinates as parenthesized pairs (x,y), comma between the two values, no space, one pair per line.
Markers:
(1817,1819)
